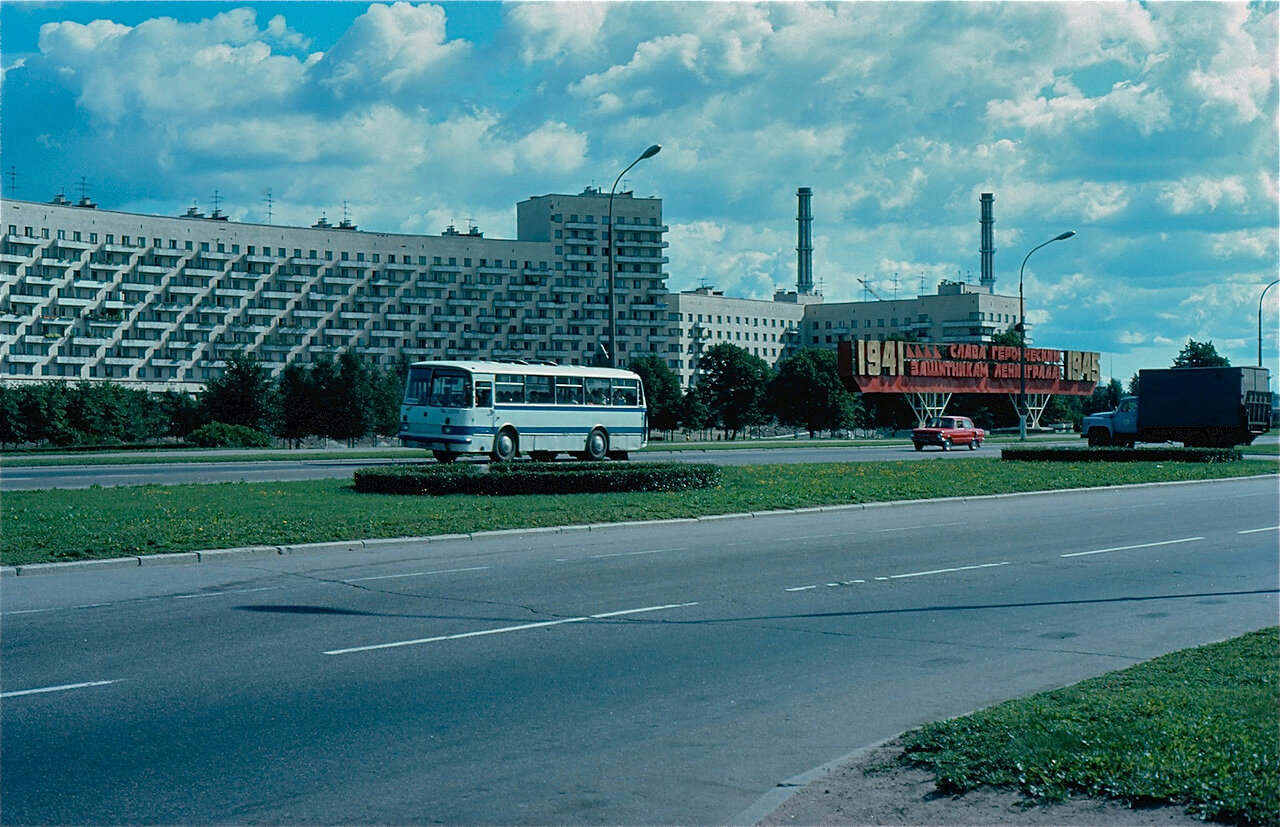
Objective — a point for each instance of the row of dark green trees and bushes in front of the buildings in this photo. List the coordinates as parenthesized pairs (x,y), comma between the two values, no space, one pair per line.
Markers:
(346,397)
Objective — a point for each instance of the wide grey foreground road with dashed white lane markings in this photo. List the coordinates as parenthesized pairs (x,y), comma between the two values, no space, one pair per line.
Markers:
(652,674)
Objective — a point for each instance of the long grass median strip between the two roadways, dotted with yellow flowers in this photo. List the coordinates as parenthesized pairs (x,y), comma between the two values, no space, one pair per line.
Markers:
(100,523)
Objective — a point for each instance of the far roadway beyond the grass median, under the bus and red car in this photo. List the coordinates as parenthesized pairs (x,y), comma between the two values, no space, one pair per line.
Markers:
(271,472)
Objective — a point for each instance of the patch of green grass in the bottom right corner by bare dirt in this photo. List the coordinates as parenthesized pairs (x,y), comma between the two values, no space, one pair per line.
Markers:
(1197,728)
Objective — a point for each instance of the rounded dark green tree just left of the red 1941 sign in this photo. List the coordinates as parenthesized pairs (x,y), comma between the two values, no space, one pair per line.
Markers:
(808,392)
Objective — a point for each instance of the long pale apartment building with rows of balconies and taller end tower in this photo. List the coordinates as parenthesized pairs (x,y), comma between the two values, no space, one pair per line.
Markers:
(162,301)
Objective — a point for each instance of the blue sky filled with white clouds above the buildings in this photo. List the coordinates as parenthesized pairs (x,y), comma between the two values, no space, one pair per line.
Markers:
(1150,130)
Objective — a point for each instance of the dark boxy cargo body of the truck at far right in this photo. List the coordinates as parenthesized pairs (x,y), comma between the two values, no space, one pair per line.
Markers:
(1203,397)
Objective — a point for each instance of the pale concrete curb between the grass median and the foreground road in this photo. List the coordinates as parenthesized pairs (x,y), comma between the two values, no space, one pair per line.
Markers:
(354,546)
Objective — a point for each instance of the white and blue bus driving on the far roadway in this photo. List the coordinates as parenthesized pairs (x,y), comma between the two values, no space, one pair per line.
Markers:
(511,409)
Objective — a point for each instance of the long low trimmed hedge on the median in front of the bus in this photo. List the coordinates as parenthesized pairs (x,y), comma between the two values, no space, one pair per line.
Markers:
(537,478)
